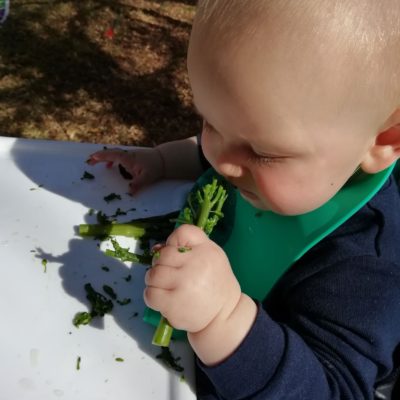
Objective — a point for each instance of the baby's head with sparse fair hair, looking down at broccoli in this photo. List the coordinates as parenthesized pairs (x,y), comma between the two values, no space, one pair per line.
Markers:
(296,95)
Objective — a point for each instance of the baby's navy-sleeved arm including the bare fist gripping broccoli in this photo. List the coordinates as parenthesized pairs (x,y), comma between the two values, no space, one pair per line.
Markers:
(329,336)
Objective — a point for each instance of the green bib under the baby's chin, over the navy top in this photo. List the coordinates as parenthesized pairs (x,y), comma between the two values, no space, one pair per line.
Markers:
(262,245)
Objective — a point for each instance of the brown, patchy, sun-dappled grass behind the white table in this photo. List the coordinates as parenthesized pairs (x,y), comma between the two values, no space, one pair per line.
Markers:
(96,71)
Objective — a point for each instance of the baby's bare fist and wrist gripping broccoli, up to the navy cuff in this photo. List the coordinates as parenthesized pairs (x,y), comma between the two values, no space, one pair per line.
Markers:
(216,314)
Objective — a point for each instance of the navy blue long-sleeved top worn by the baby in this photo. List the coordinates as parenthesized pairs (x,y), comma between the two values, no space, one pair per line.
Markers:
(330,326)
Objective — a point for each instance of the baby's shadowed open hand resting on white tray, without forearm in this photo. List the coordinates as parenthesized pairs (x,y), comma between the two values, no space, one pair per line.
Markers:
(145,165)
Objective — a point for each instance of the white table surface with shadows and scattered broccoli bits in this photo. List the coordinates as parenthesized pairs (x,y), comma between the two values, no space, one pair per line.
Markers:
(42,200)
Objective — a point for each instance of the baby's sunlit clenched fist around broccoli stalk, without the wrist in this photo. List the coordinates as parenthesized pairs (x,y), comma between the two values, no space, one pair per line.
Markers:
(191,282)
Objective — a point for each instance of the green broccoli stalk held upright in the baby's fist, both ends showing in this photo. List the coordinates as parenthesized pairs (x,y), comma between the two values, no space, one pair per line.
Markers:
(210,199)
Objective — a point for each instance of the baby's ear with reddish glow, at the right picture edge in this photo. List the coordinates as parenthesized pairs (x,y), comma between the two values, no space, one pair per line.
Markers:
(386,149)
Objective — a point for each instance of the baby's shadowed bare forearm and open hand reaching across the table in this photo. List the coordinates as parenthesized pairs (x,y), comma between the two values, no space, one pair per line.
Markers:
(178,159)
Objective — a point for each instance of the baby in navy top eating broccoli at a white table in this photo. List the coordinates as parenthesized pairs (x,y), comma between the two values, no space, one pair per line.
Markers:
(295,97)
